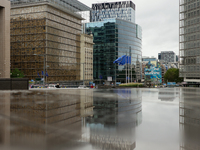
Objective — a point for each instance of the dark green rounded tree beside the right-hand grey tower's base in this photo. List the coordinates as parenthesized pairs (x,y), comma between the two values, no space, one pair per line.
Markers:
(172,75)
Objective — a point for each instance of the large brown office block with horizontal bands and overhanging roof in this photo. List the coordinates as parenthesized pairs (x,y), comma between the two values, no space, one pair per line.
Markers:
(45,38)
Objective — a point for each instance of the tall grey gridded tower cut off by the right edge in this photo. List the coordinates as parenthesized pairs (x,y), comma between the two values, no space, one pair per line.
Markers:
(189,48)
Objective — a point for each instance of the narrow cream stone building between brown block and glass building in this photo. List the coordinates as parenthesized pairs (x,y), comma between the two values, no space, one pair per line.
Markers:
(86,58)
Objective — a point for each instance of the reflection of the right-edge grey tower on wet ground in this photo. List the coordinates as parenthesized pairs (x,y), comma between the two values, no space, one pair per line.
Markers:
(189,118)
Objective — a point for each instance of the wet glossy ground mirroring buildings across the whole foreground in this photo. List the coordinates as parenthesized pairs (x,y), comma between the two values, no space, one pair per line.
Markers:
(109,119)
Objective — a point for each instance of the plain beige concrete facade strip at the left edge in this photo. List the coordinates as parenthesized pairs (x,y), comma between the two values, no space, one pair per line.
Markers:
(4,39)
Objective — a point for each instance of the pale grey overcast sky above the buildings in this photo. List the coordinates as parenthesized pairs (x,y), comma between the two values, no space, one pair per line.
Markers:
(159,20)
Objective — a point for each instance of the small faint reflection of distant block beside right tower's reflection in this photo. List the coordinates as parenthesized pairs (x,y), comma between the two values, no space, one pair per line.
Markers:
(168,94)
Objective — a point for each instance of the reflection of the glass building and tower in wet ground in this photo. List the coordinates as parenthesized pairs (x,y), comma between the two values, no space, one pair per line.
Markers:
(116,115)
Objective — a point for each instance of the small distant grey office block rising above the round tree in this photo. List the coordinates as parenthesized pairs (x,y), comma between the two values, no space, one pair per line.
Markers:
(167,56)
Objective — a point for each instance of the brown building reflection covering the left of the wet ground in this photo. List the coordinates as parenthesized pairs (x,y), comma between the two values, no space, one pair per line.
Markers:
(43,119)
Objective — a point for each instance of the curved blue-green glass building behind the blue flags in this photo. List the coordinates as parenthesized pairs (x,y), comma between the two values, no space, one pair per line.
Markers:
(113,38)
